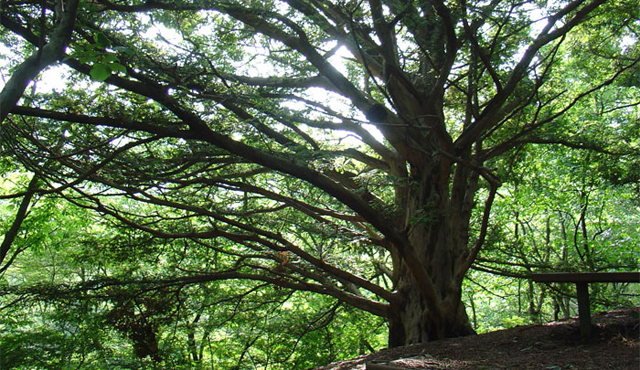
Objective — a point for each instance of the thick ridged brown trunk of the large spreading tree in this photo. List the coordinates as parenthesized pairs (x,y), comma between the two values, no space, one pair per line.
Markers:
(437,224)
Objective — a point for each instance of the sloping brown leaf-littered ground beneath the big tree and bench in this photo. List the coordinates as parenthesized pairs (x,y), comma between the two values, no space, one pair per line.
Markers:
(555,346)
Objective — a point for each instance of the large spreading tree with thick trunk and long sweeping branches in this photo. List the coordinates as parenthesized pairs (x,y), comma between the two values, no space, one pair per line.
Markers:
(336,147)
